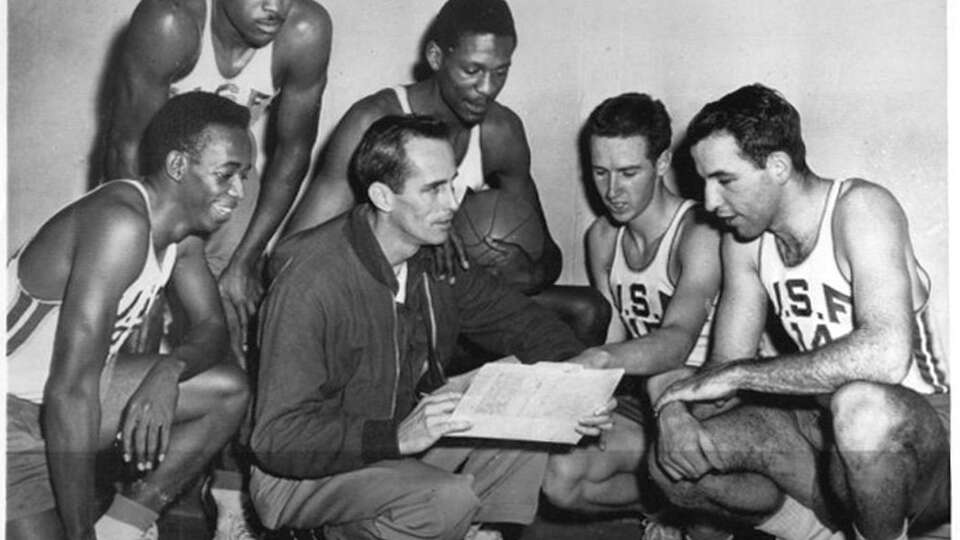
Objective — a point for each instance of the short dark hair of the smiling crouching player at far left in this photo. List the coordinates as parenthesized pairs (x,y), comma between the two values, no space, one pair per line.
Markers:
(181,123)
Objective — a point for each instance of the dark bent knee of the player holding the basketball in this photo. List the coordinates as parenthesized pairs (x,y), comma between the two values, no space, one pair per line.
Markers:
(583,308)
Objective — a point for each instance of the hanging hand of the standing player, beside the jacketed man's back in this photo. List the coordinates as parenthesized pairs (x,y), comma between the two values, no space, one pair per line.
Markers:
(240,293)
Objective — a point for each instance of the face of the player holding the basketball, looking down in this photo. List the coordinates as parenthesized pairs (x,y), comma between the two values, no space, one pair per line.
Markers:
(471,75)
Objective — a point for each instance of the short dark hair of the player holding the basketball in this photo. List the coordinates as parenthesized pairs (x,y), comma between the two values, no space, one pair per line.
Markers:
(458,18)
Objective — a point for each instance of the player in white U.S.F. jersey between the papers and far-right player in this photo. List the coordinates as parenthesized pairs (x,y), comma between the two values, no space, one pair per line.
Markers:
(657,261)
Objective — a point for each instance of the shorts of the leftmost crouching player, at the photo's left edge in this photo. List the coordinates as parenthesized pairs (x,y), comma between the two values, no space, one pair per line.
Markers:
(29,491)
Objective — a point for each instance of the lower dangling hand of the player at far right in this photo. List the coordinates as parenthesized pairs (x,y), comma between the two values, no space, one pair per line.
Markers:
(683,446)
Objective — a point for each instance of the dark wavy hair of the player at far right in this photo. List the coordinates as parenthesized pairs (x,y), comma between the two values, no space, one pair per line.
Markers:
(761,121)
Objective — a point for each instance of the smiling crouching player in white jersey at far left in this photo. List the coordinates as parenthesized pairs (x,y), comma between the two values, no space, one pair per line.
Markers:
(76,290)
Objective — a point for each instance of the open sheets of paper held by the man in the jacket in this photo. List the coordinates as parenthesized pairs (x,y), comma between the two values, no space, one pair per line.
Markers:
(539,402)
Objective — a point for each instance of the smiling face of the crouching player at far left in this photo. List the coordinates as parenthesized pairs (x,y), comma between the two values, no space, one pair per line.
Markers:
(213,177)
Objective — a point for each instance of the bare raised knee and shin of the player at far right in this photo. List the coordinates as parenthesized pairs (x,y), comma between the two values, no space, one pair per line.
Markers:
(890,447)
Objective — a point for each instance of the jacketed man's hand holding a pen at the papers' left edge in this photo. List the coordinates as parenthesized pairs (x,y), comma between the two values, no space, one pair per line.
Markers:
(429,421)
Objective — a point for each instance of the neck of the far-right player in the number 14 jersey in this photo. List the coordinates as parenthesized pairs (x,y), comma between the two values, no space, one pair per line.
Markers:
(799,214)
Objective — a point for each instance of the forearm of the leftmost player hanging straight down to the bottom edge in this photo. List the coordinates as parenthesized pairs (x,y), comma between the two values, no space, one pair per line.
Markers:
(71,424)
